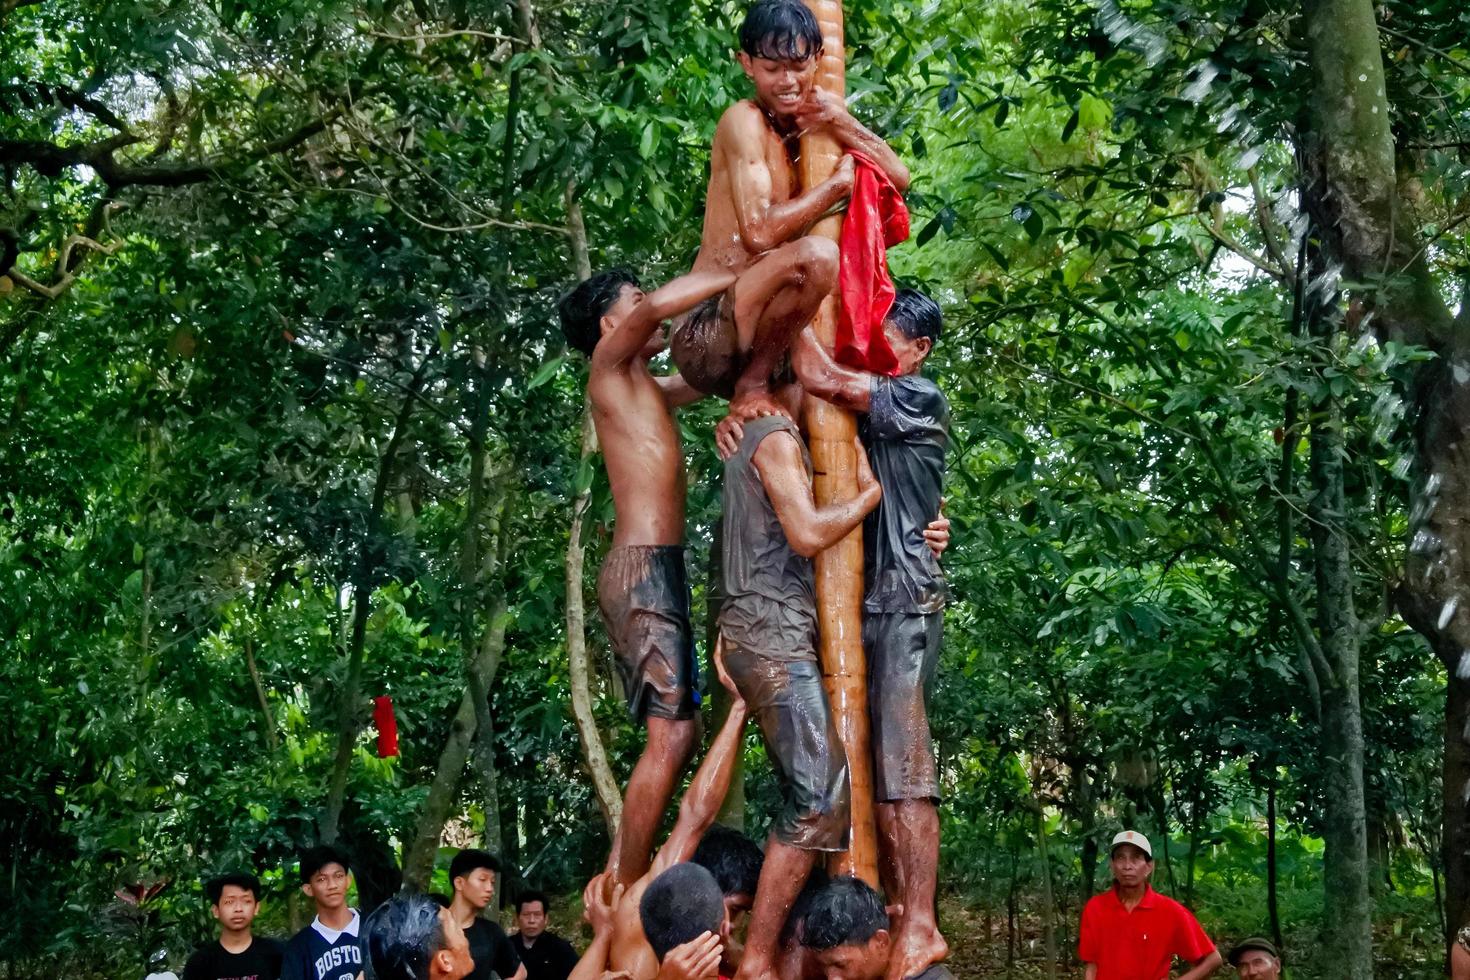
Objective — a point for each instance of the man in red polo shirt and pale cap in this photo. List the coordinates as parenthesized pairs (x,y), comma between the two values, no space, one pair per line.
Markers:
(1131,932)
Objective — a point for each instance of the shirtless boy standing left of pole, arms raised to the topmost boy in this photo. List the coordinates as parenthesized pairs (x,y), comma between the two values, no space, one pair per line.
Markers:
(643,588)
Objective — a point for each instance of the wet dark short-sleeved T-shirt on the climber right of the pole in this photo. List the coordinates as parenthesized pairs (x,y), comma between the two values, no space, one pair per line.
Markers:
(906,433)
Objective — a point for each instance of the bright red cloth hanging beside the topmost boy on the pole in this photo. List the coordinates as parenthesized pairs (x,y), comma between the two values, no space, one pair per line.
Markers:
(877,220)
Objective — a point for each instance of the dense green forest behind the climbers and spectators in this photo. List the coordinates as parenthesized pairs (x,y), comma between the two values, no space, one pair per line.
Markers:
(287,424)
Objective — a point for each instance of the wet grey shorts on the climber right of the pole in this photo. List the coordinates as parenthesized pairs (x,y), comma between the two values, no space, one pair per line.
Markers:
(903,652)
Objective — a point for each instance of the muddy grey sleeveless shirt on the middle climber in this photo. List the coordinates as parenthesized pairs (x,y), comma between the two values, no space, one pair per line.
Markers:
(770,590)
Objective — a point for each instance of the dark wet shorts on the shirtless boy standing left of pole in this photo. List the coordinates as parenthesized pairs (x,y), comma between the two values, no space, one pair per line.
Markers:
(645,596)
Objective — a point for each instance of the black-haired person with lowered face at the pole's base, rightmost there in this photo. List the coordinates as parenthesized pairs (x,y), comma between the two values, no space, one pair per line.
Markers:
(846,928)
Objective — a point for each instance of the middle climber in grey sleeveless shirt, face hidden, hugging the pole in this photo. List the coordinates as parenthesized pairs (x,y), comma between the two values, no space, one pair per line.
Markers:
(770,630)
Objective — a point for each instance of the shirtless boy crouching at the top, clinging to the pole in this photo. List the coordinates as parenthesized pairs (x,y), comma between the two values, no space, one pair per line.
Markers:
(756,217)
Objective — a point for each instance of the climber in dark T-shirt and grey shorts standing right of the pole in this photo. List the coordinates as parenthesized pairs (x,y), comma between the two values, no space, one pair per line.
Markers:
(906,431)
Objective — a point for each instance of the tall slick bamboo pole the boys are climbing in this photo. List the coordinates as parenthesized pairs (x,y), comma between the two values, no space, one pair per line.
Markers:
(840,568)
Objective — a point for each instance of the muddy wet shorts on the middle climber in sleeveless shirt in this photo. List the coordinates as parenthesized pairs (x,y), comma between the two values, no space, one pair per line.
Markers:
(792,707)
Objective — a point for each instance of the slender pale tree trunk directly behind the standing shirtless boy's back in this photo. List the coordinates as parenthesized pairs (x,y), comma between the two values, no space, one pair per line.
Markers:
(609,799)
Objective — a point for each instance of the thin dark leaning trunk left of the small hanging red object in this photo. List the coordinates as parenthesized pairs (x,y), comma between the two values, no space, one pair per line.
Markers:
(349,710)
